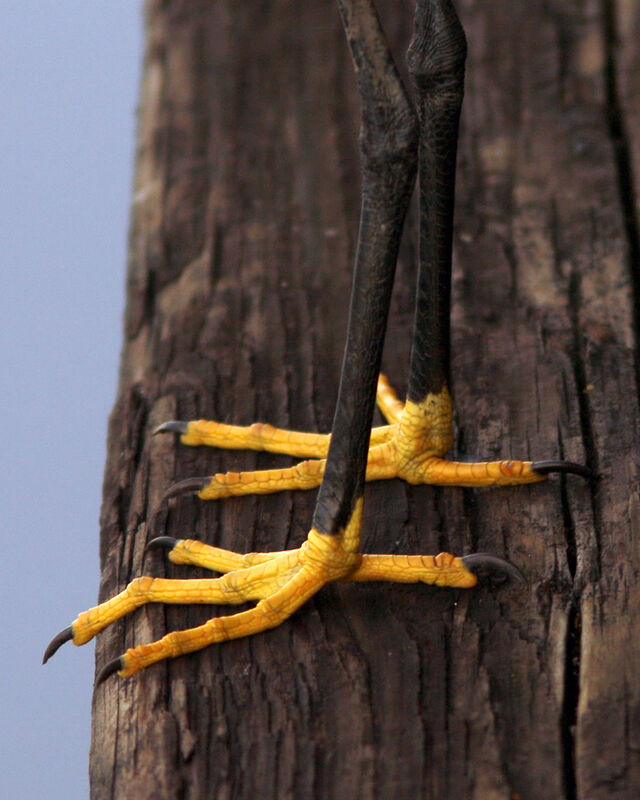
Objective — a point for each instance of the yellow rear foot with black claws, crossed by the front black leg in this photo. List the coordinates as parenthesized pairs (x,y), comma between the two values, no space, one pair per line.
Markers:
(411,447)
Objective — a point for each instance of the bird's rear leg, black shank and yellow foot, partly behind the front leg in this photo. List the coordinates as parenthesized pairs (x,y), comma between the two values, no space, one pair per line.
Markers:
(415,445)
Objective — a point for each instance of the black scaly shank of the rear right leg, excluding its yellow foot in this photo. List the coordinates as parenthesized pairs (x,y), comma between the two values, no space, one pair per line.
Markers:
(436,60)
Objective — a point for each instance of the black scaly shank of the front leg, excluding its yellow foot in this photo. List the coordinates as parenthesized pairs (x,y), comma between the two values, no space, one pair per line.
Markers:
(388,143)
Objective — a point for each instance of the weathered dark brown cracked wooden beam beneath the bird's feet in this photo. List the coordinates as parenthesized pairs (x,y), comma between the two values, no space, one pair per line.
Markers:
(243,229)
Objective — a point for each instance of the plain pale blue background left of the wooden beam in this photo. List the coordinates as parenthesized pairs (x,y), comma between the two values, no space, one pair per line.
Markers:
(69,74)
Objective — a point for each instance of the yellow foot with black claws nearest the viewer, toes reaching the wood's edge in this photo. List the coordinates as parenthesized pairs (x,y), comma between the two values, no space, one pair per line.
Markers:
(281,582)
